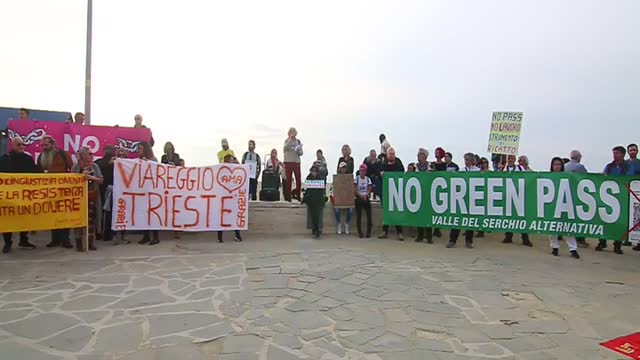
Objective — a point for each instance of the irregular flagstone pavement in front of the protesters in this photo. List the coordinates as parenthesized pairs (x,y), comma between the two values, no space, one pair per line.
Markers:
(347,298)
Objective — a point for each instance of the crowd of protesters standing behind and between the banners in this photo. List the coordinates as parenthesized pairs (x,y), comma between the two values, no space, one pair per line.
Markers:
(367,184)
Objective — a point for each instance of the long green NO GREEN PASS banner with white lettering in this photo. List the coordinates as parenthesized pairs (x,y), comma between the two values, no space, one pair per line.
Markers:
(590,205)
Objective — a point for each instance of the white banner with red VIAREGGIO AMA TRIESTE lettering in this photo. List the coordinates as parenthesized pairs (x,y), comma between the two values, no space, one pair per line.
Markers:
(152,196)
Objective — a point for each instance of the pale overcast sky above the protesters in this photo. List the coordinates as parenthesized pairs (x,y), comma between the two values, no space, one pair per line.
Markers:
(426,73)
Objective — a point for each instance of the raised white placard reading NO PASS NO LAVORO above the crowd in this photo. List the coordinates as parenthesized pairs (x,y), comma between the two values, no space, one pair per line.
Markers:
(504,137)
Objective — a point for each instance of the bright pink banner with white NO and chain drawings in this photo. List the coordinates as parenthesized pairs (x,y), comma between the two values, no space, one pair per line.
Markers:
(71,137)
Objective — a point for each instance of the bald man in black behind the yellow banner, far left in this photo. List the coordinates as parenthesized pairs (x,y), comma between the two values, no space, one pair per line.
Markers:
(18,162)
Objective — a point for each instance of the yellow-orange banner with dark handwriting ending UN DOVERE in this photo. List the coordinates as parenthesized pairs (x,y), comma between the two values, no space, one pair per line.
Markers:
(30,202)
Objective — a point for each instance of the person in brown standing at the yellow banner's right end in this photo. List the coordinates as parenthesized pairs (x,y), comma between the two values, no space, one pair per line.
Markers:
(92,173)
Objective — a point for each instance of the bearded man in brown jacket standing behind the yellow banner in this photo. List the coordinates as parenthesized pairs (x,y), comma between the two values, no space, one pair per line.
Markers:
(54,160)
